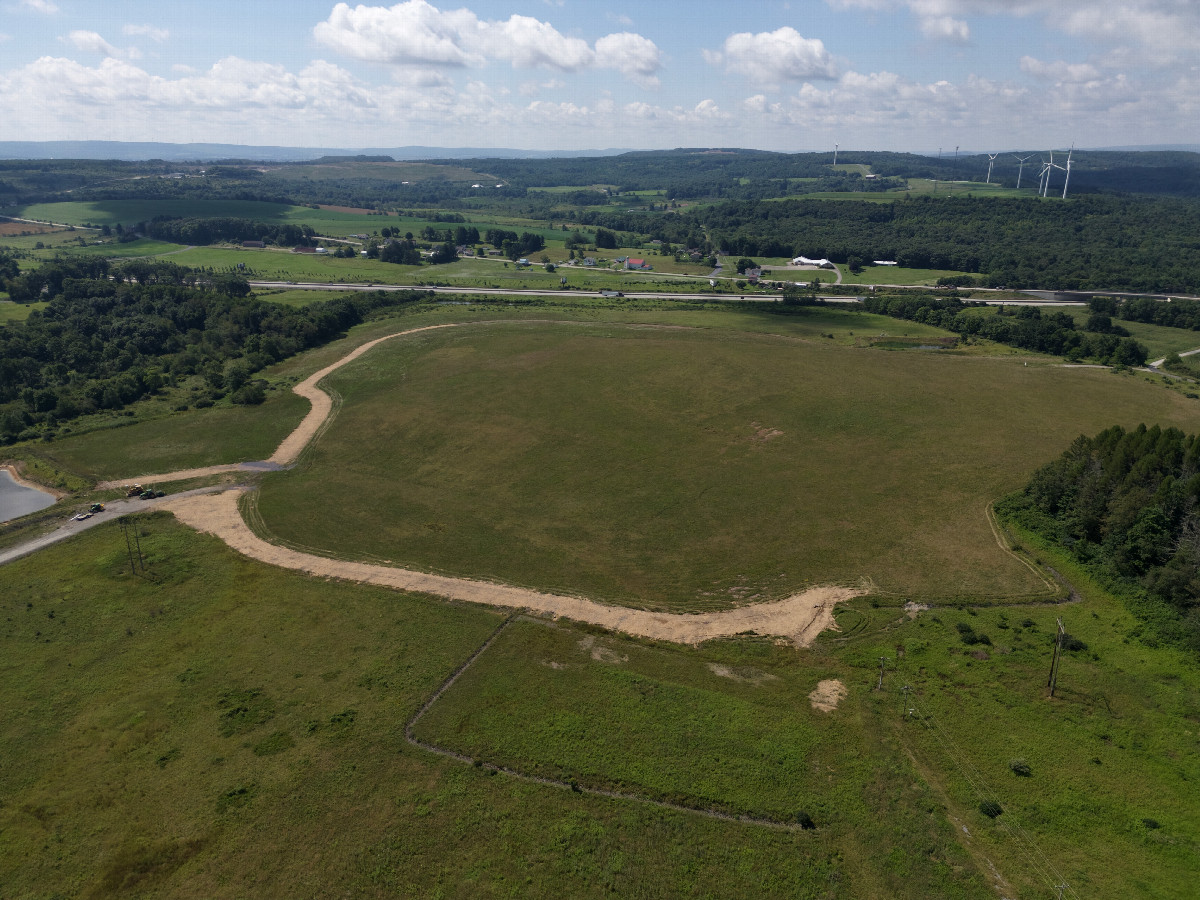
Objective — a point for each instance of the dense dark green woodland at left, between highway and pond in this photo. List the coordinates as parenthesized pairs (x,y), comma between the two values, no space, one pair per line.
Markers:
(112,337)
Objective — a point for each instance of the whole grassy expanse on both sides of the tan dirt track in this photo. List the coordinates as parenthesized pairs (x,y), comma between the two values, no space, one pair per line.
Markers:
(219,728)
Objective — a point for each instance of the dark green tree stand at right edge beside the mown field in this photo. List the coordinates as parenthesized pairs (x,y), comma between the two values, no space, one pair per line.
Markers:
(1127,505)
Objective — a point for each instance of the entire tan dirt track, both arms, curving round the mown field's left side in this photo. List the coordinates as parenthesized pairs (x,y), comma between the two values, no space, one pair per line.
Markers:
(799,619)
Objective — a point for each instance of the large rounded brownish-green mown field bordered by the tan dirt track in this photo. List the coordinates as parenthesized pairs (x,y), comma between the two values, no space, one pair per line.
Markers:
(691,469)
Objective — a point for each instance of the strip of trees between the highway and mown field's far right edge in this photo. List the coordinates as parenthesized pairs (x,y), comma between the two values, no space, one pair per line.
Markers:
(1025,327)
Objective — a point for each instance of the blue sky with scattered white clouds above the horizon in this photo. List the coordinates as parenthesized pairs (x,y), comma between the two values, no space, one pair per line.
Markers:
(569,75)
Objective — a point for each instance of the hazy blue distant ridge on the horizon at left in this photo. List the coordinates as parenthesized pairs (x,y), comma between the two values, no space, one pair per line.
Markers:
(135,152)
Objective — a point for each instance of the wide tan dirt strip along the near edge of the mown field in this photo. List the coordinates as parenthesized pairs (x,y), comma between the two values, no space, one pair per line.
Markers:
(800,619)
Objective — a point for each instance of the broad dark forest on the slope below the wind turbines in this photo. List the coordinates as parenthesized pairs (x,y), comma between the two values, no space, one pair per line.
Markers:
(1091,243)
